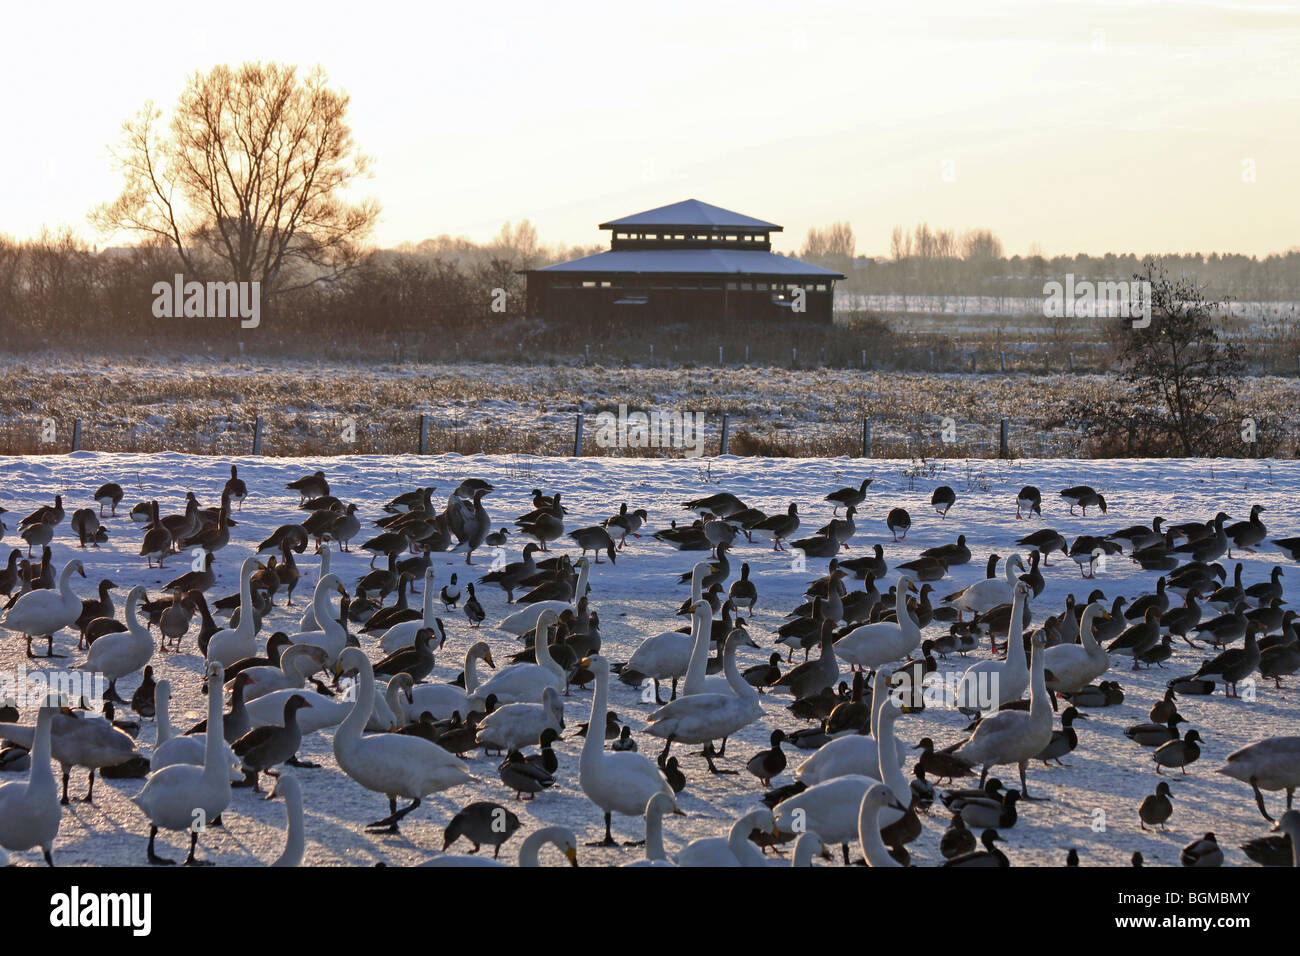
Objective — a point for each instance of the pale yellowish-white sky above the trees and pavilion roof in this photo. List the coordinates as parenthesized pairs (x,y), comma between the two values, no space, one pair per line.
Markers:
(1080,127)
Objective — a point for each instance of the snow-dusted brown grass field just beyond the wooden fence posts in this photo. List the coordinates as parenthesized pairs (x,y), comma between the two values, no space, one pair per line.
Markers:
(209,408)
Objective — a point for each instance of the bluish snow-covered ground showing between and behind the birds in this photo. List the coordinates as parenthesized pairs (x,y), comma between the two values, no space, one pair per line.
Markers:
(639,596)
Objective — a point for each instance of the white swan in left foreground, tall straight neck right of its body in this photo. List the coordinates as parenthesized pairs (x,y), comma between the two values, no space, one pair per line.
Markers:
(188,798)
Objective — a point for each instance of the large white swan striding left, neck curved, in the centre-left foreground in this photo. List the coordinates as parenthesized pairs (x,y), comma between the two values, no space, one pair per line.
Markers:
(391,764)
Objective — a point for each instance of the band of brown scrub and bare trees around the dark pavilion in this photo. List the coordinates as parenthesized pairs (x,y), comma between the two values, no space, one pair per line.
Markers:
(443,300)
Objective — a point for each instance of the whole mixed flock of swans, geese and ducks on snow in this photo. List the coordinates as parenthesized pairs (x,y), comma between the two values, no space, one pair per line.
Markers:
(591,672)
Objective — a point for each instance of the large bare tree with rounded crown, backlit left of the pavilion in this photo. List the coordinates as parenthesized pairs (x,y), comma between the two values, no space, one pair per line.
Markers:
(248,179)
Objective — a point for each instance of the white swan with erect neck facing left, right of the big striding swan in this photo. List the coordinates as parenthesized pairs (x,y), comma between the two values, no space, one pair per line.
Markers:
(617,782)
